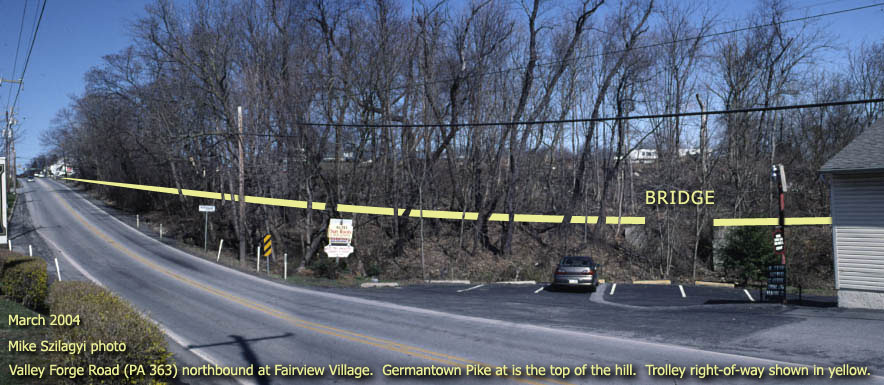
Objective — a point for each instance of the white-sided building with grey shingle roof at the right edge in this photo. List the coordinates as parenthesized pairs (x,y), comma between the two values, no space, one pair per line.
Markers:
(856,178)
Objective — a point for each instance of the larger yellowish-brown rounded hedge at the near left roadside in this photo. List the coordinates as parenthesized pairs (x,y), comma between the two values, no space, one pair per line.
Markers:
(108,318)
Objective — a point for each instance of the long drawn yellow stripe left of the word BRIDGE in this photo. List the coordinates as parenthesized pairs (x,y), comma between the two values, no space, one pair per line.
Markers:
(374,210)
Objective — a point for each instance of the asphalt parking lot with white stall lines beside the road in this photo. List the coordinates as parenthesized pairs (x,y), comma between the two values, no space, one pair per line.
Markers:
(710,318)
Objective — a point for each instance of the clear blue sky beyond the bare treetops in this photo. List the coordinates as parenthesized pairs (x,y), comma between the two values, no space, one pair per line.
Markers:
(75,35)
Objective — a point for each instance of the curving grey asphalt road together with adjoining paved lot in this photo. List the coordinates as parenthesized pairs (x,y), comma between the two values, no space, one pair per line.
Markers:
(225,317)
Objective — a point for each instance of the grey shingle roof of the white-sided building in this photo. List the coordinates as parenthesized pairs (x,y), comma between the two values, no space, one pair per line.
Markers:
(864,154)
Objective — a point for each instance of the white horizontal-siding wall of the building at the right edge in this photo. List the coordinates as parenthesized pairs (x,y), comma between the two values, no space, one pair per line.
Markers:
(858,231)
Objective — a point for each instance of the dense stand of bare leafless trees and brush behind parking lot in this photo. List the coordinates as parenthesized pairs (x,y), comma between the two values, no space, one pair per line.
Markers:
(164,112)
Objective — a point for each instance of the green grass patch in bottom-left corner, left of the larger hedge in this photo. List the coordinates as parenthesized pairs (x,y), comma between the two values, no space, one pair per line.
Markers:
(28,333)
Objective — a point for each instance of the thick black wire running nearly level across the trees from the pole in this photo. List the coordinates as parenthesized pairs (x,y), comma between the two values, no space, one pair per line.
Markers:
(560,121)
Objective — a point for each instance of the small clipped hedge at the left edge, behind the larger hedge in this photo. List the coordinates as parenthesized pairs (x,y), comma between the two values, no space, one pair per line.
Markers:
(24,279)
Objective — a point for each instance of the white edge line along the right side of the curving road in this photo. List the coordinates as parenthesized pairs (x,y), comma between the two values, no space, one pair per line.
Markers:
(487,321)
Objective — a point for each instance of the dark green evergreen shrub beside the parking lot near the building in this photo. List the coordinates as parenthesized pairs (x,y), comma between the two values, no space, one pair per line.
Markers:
(747,252)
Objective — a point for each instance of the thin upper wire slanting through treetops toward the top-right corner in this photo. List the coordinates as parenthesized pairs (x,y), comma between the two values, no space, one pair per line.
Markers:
(654,45)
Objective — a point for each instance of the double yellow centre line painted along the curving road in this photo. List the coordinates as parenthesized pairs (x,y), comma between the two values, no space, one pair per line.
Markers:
(316,327)
